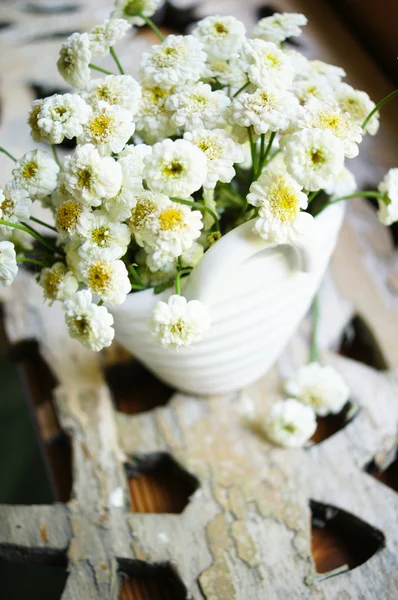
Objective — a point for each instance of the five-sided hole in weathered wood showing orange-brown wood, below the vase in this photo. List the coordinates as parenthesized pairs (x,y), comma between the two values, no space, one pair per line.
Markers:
(159,485)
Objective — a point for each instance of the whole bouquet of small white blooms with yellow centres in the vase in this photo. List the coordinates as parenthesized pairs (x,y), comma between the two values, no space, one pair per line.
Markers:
(219,130)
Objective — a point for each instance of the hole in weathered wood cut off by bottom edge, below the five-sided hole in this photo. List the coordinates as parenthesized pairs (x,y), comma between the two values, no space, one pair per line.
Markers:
(141,581)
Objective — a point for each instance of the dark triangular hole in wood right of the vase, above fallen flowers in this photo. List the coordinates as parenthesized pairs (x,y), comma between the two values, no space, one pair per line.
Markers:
(359,344)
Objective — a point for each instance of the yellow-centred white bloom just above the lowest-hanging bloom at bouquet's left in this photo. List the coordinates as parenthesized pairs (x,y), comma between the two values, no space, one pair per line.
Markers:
(107,279)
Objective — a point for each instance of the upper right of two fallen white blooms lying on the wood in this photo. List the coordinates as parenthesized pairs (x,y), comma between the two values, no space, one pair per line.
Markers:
(319,386)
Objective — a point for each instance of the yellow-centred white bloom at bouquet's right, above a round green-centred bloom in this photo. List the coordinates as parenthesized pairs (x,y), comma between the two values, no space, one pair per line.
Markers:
(331,118)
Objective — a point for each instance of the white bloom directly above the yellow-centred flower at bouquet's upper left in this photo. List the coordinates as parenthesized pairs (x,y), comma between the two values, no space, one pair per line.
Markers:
(117,90)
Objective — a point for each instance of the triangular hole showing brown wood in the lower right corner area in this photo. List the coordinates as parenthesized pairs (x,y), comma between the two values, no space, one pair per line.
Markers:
(340,538)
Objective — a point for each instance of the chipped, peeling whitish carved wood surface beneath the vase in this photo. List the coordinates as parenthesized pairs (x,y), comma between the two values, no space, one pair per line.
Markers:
(246,532)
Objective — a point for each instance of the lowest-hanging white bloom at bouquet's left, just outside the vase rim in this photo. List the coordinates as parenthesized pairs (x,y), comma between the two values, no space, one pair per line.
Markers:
(87,322)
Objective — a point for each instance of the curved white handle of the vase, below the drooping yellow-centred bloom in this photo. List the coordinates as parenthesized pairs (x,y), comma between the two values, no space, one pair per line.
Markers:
(232,250)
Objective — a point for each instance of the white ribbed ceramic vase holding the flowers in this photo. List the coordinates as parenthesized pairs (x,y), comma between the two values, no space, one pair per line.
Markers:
(257,294)
